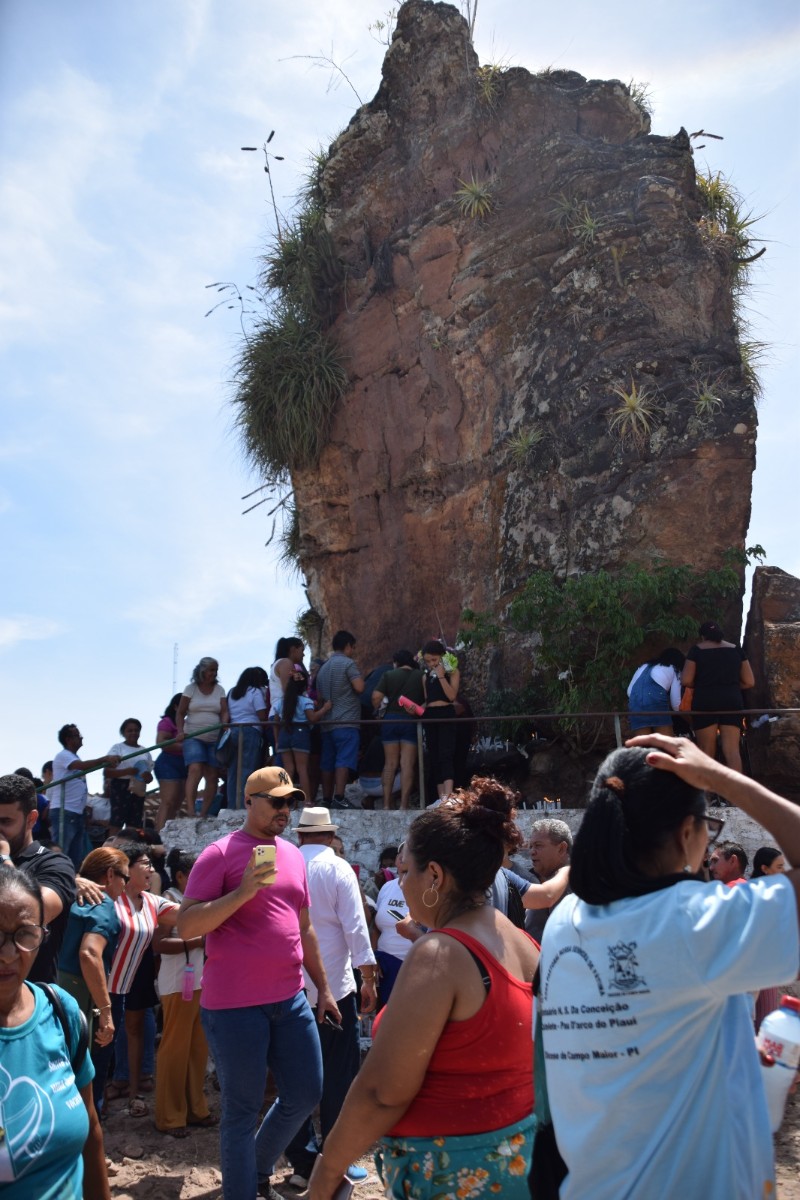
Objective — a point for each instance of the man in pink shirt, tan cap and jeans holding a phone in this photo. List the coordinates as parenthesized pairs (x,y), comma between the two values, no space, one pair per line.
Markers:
(258,938)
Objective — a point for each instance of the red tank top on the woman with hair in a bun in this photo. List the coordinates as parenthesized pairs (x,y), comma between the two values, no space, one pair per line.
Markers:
(482,1072)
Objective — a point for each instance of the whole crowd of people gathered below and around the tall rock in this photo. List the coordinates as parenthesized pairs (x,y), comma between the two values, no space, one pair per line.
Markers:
(518,1017)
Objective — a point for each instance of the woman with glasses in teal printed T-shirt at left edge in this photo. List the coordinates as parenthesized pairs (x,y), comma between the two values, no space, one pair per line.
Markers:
(52,1144)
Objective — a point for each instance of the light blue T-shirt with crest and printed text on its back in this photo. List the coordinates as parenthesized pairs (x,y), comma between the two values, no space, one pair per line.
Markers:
(653,1076)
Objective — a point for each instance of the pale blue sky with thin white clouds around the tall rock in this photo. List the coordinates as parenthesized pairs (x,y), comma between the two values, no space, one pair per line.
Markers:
(124,194)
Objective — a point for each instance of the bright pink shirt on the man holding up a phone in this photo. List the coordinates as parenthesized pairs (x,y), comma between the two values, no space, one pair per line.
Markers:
(255,957)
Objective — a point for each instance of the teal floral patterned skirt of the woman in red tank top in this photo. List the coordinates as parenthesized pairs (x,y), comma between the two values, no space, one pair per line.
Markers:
(482,1165)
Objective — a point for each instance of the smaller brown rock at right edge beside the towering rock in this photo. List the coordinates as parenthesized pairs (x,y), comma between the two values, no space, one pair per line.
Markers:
(773,645)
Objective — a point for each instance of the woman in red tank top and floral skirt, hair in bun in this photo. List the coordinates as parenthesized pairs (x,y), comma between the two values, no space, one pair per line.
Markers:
(448,1085)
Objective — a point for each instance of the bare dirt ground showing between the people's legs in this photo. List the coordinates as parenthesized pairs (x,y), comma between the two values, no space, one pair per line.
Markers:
(148,1166)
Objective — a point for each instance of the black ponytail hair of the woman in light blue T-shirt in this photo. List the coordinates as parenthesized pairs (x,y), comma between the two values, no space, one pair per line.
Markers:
(634,811)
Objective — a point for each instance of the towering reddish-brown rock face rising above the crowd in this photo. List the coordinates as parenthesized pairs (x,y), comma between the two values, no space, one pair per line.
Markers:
(484,352)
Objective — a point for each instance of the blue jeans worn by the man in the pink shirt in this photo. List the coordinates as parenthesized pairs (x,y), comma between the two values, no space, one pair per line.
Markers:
(245,1042)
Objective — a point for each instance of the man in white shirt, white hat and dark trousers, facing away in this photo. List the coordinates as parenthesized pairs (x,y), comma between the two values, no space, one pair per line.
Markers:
(344,941)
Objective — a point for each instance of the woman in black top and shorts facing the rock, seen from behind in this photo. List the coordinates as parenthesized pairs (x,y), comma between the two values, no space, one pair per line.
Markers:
(718,671)
